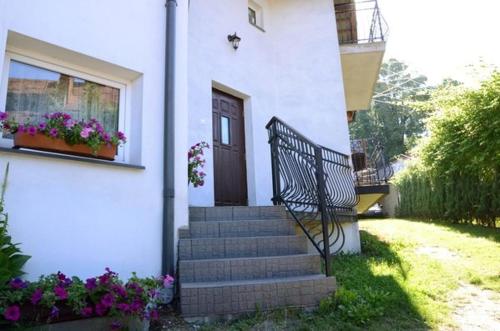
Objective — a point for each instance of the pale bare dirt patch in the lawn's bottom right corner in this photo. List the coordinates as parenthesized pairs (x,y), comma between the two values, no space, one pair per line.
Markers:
(475,309)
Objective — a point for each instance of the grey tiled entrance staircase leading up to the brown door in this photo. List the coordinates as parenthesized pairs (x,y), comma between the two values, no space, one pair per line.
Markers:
(235,260)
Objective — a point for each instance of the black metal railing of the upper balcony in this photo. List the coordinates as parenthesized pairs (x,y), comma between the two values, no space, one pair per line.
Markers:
(359,21)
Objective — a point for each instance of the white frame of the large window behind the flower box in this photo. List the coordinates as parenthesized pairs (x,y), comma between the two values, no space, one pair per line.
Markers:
(67,69)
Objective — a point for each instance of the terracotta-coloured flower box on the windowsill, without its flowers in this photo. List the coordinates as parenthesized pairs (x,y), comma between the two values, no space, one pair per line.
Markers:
(40,141)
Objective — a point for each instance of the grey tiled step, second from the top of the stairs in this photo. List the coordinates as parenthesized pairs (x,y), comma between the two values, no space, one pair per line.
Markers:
(240,228)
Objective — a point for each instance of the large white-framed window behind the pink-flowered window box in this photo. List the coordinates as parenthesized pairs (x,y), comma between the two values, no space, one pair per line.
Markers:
(33,88)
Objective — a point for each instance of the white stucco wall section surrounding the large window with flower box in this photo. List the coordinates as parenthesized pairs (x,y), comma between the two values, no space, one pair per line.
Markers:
(80,218)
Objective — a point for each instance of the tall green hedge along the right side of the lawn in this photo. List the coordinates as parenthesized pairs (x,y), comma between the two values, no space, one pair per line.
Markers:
(456,173)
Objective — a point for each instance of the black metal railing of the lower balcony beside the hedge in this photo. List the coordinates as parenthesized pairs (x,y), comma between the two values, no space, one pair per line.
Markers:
(371,166)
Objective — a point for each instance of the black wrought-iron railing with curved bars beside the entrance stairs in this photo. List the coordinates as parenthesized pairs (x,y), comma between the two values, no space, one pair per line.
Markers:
(315,184)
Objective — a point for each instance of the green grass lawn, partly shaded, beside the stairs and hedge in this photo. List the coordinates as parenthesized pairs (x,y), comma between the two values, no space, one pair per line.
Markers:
(404,280)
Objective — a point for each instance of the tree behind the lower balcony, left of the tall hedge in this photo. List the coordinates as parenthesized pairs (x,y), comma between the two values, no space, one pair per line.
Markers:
(393,120)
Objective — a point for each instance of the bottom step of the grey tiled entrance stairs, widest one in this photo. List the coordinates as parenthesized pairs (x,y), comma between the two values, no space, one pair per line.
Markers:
(236,297)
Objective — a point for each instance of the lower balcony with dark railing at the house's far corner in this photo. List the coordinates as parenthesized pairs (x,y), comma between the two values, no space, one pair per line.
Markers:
(372,172)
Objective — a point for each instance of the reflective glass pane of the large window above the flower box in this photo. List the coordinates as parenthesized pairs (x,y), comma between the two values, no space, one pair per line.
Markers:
(33,91)
